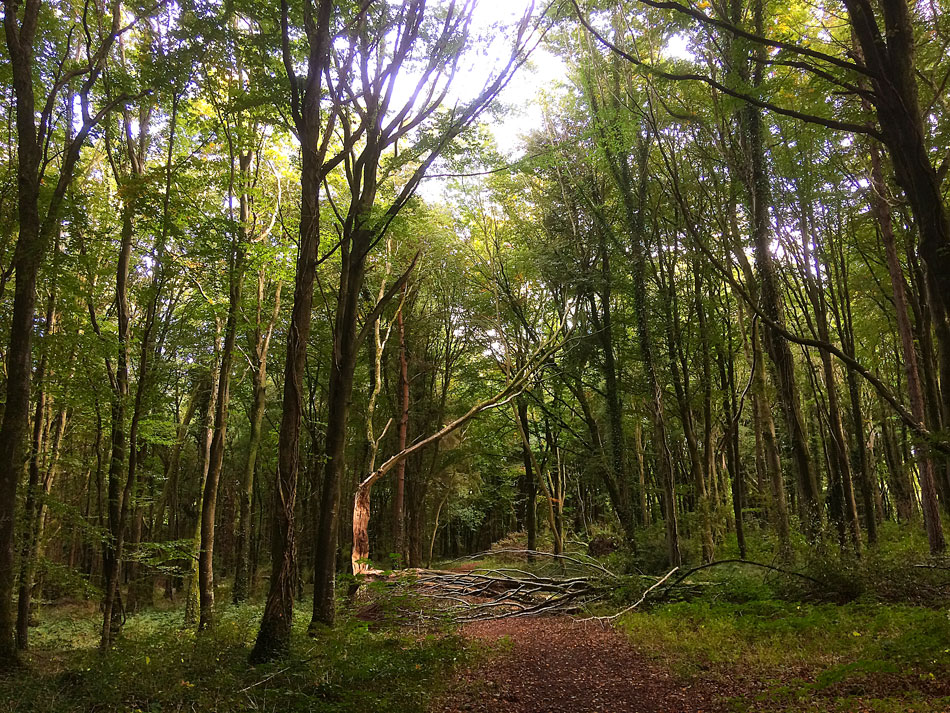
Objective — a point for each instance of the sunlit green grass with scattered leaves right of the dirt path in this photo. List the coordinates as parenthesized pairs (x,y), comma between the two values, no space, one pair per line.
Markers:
(872,656)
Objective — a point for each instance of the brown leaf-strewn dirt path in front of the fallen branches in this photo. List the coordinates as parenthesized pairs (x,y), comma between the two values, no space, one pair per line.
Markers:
(556,665)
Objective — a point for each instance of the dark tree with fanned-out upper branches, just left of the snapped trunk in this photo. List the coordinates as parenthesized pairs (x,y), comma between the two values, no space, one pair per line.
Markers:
(432,44)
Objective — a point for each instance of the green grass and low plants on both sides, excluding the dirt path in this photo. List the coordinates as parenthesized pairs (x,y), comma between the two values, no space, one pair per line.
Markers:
(743,631)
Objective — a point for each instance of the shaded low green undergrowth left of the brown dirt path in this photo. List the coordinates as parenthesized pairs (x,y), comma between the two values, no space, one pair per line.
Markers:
(157,666)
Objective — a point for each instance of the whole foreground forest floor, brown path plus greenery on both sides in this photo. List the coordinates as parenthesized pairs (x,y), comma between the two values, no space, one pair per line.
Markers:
(733,651)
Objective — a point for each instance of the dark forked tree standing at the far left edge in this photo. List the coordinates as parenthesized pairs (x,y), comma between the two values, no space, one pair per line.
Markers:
(38,222)
